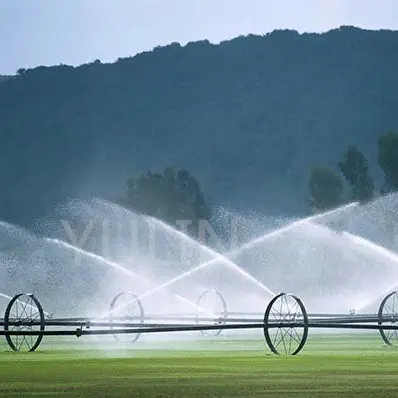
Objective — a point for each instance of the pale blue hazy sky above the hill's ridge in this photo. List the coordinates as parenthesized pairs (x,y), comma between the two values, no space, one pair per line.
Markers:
(50,32)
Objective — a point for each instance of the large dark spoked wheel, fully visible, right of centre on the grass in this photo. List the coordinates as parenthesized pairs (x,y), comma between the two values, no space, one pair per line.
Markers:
(285,324)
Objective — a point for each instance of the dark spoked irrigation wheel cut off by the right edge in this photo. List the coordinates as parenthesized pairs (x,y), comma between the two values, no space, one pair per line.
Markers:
(388,315)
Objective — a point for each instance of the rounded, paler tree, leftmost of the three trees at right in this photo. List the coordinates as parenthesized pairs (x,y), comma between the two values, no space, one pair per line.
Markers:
(326,188)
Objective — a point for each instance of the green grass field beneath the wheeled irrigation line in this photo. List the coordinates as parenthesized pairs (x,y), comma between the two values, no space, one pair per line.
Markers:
(355,365)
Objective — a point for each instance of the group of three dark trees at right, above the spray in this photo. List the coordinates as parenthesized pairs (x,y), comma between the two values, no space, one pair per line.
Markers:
(326,187)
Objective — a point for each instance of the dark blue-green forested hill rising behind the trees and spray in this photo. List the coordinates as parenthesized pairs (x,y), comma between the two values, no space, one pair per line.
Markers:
(247,117)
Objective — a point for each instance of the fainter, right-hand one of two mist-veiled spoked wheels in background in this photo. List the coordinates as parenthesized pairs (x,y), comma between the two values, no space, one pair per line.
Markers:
(211,304)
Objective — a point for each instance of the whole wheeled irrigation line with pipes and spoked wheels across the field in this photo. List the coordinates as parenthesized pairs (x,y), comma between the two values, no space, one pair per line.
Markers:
(285,322)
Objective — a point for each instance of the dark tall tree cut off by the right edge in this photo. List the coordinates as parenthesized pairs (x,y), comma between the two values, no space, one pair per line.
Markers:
(388,161)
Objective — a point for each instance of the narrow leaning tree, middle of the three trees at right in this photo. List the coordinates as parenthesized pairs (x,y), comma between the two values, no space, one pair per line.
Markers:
(355,170)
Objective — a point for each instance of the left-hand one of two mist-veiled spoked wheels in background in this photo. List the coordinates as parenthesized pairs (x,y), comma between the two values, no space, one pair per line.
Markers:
(127,307)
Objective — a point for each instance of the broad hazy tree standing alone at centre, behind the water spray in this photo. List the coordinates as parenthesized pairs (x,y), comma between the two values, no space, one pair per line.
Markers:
(171,196)
